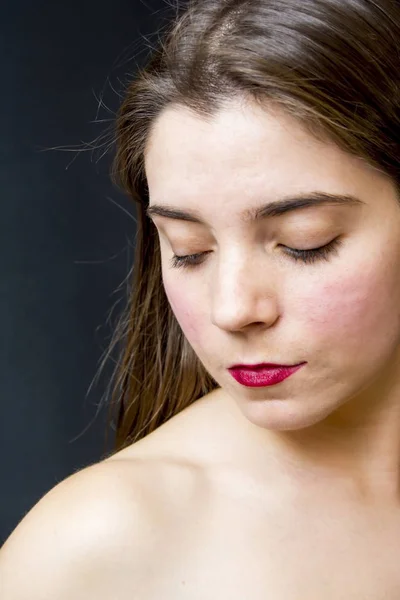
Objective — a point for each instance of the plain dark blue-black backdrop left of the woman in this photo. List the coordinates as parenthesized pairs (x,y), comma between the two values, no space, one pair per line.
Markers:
(67,234)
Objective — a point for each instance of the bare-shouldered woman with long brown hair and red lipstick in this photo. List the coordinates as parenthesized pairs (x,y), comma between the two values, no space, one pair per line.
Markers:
(258,437)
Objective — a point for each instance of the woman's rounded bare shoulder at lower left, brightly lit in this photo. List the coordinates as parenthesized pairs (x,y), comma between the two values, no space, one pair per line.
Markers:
(82,534)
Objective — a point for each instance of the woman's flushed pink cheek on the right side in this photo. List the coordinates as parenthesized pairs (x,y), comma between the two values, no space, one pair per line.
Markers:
(355,313)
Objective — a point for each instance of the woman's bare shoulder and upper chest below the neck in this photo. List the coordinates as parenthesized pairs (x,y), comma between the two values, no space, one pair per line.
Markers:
(183,515)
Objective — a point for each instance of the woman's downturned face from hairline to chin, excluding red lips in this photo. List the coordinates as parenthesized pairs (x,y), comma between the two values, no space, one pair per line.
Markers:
(248,298)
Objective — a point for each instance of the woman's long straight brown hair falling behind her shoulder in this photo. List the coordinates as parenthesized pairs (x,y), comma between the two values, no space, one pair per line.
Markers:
(332,64)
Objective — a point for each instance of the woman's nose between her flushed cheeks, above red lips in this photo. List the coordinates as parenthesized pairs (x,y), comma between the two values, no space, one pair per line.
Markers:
(244,294)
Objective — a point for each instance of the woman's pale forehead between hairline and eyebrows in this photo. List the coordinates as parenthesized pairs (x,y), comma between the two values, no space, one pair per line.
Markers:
(244,153)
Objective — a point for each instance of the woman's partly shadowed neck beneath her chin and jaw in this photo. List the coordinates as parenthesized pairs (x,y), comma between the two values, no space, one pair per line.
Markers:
(355,450)
